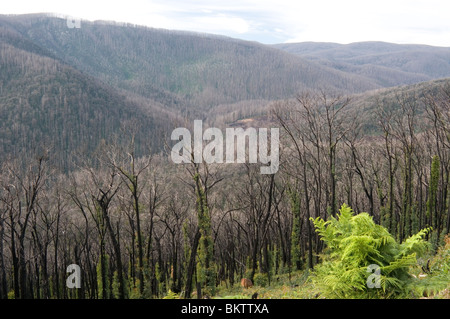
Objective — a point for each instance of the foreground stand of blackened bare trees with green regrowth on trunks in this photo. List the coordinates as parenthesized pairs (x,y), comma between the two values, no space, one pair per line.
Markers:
(139,226)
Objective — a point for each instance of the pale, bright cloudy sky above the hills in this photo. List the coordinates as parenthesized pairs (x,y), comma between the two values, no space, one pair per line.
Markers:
(269,21)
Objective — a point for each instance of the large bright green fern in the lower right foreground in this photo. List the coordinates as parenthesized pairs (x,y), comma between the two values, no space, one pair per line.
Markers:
(353,243)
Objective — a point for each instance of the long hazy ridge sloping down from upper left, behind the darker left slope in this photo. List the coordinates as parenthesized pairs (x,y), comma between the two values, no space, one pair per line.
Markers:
(180,69)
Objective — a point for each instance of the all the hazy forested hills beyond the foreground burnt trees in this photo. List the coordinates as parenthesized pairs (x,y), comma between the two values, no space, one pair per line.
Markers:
(72,88)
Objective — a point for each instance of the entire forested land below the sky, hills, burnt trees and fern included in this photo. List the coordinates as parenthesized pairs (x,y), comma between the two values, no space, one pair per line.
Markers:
(86,176)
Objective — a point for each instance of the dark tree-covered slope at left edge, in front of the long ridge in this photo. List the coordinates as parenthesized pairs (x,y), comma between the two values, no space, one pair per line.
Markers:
(46,103)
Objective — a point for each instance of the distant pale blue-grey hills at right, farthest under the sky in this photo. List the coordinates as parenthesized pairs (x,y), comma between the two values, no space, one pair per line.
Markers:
(387,64)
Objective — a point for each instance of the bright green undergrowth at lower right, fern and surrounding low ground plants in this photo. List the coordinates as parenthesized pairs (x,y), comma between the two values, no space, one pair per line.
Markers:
(355,245)
